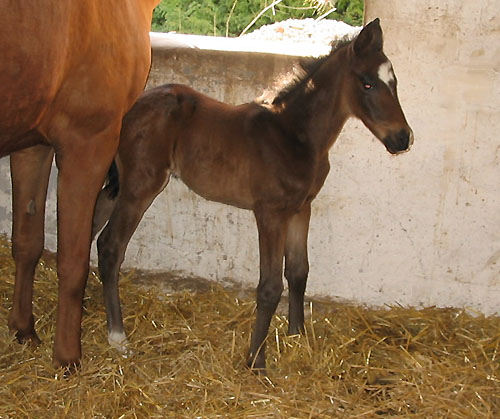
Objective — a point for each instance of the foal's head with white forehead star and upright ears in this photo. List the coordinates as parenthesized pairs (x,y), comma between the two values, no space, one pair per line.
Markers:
(372,90)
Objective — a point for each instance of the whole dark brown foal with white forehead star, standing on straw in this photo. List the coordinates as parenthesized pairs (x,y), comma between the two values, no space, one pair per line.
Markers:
(271,160)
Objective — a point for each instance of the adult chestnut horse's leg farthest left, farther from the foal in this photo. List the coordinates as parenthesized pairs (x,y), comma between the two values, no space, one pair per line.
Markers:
(30,170)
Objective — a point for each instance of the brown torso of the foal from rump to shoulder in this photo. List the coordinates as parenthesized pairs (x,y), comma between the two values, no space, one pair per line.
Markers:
(238,155)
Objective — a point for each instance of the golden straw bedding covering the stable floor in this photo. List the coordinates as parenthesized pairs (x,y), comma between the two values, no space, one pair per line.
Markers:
(187,353)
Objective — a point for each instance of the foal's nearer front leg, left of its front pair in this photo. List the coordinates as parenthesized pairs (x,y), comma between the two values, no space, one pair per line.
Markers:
(272,231)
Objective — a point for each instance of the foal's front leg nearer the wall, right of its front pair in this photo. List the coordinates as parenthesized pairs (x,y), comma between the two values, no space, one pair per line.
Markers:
(297,268)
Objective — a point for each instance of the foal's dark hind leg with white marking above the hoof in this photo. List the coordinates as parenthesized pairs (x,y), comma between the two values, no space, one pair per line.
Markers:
(136,195)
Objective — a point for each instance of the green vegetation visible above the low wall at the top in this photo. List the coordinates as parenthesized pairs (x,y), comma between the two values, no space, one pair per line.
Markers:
(231,17)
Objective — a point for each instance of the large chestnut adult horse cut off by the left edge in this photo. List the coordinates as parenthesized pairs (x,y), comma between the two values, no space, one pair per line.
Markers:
(69,72)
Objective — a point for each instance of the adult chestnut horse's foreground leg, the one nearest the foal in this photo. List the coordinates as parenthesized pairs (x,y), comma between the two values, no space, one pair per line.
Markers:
(83,159)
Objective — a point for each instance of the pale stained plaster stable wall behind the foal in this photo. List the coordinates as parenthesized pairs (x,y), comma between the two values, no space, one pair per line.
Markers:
(418,229)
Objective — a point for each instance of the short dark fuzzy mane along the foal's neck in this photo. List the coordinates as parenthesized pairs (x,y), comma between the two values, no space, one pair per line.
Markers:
(304,81)
